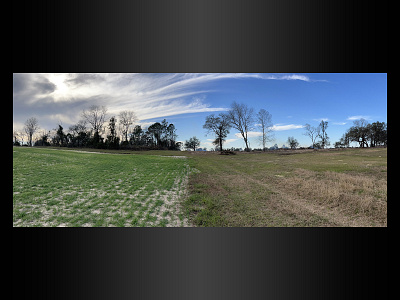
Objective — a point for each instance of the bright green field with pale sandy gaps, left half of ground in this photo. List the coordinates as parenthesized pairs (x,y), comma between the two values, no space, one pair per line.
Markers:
(71,188)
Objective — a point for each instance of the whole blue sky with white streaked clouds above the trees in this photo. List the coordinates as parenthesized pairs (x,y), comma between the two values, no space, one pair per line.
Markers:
(186,99)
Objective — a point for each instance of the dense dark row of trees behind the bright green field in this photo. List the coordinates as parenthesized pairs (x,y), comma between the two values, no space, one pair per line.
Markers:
(92,131)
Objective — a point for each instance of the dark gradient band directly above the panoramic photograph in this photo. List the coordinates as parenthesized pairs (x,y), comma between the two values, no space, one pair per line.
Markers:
(200,36)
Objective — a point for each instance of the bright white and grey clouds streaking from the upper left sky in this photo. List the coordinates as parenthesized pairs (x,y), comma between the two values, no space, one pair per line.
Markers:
(50,96)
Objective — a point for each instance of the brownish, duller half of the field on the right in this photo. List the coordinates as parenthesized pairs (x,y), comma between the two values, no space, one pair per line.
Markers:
(346,187)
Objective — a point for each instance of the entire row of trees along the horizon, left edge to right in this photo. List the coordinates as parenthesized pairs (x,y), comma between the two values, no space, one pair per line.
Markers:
(119,133)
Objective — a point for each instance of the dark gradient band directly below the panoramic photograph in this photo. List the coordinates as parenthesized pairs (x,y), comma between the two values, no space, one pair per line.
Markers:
(200,263)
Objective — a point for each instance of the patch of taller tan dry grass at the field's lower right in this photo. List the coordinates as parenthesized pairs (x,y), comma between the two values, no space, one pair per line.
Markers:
(352,199)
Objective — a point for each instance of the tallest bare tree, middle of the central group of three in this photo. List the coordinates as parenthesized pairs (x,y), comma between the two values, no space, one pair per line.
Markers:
(241,118)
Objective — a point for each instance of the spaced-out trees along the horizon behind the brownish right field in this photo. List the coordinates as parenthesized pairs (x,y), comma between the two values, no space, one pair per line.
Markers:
(242,118)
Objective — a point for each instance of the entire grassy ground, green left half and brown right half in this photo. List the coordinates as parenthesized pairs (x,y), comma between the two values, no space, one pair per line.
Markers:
(290,188)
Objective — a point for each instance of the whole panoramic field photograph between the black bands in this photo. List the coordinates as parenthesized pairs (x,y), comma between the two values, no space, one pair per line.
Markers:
(200,150)
